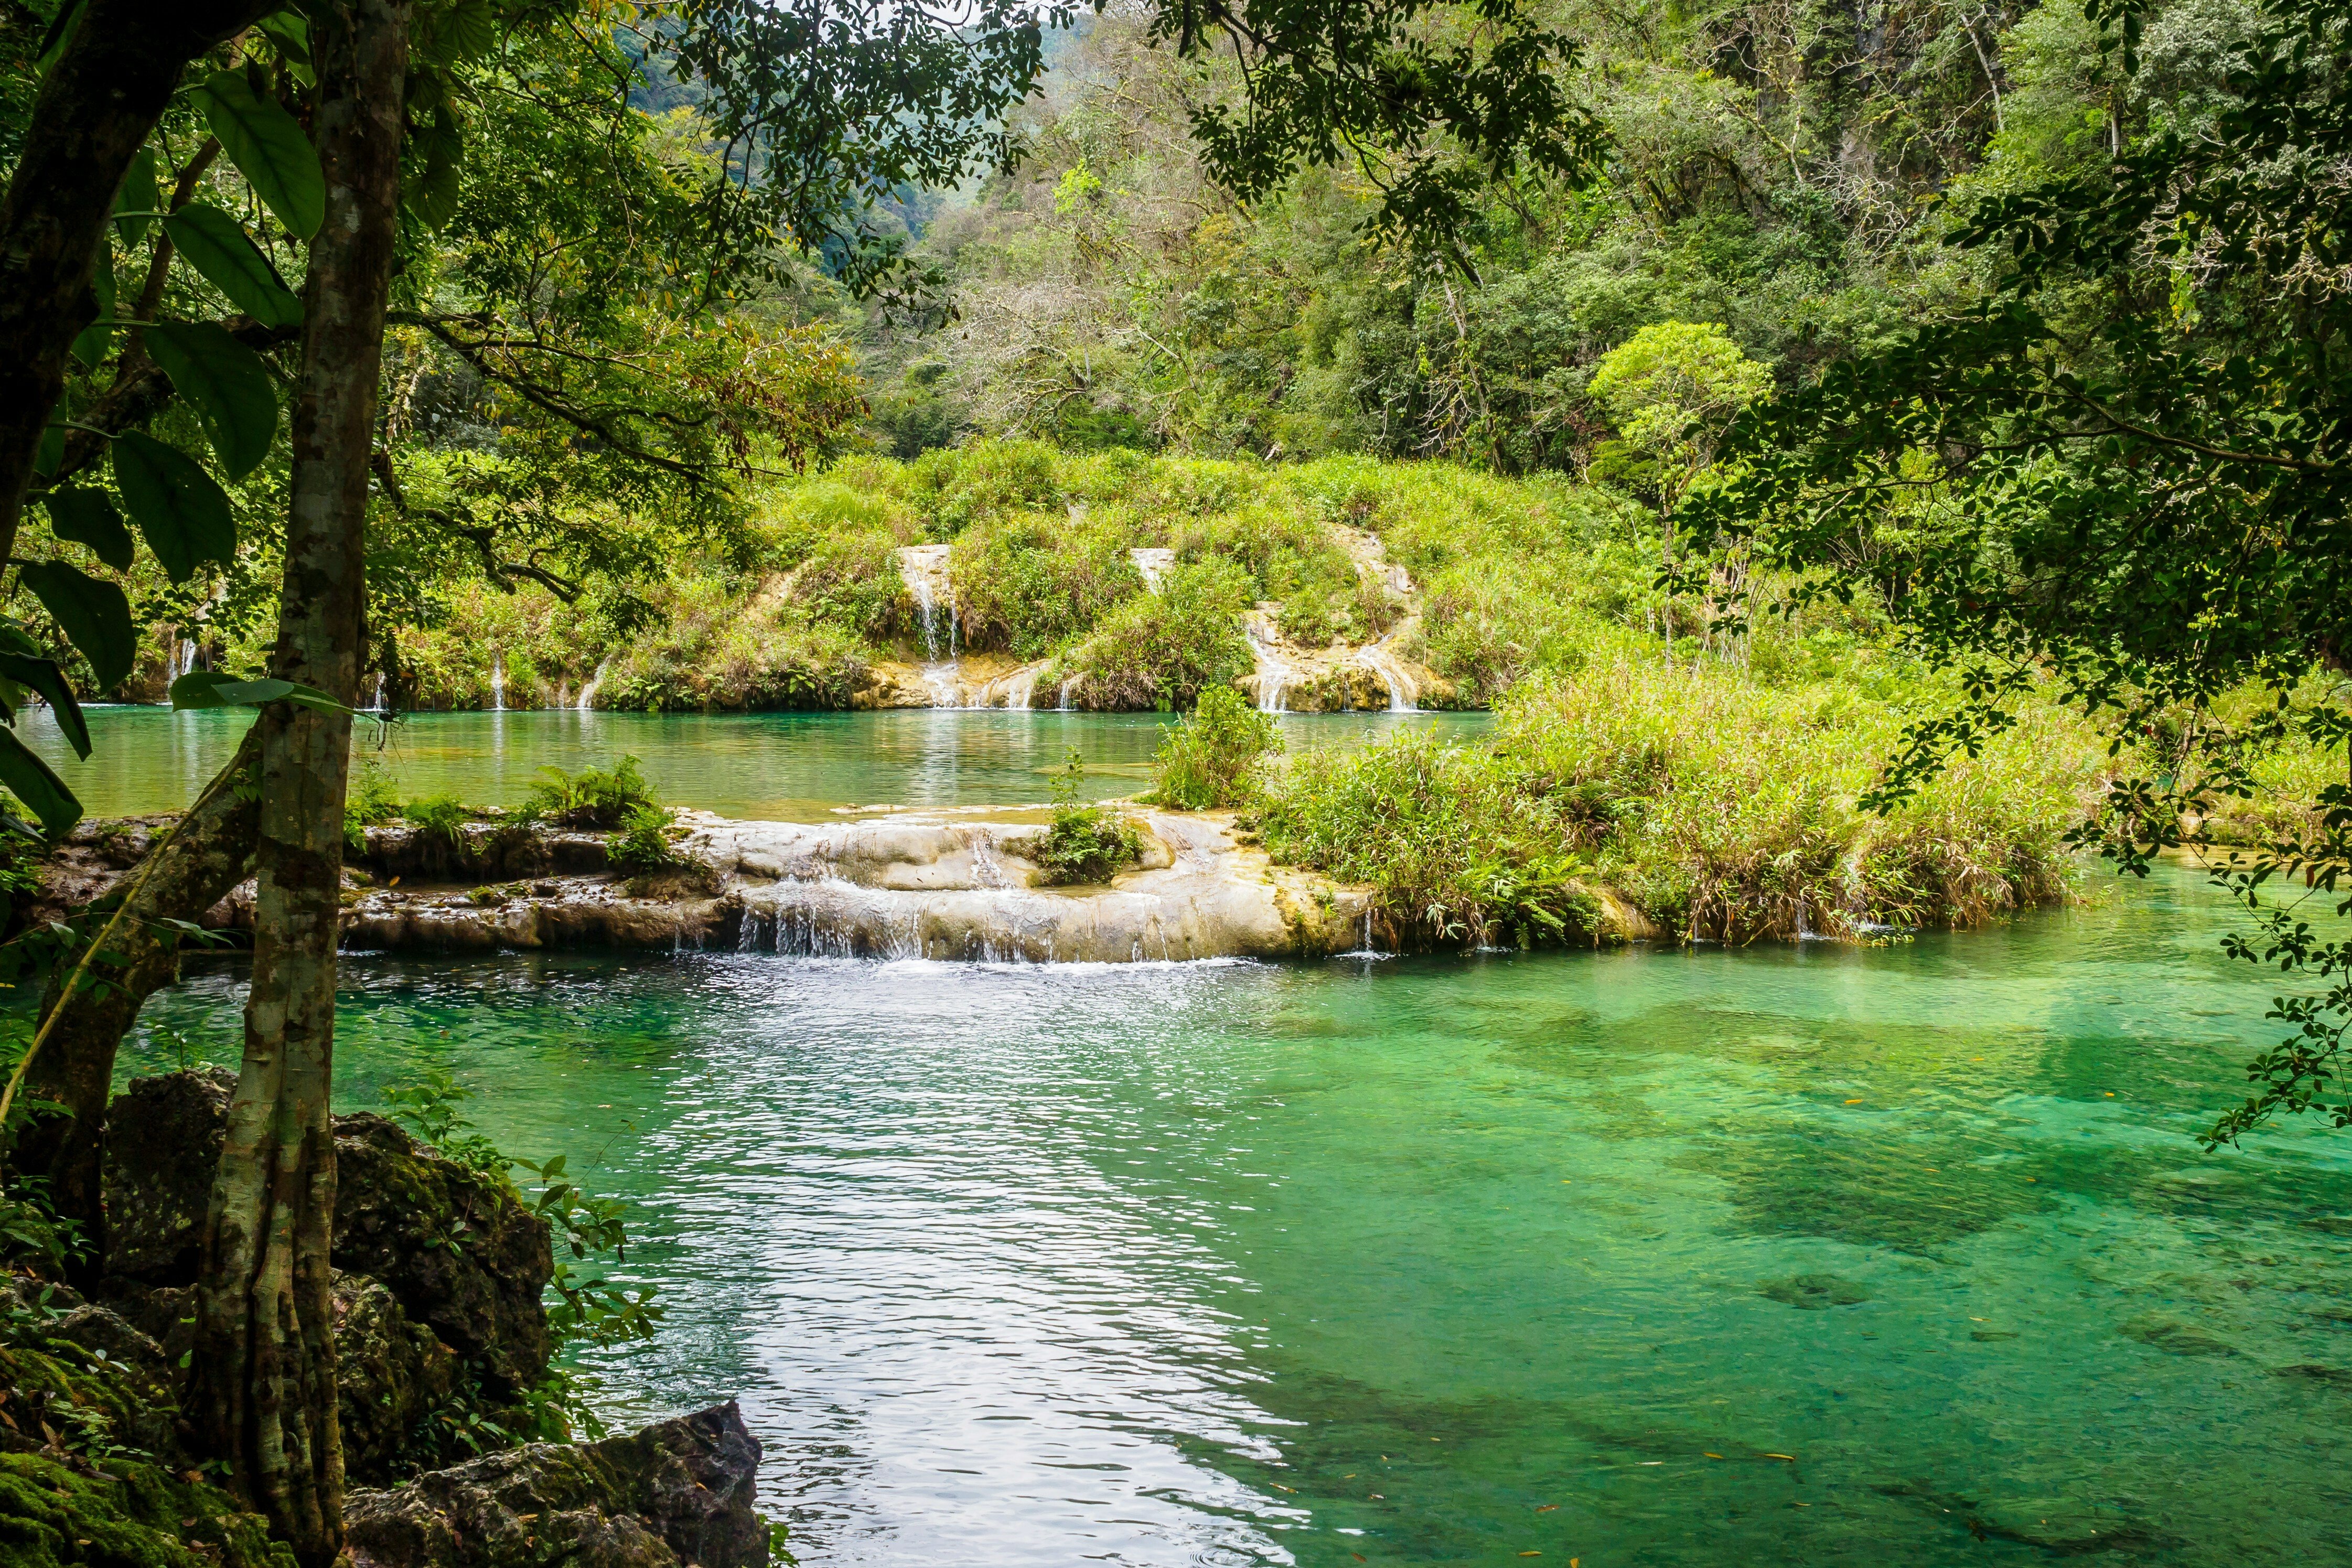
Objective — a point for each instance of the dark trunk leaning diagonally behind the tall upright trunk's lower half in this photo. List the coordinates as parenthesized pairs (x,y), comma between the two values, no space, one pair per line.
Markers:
(182,878)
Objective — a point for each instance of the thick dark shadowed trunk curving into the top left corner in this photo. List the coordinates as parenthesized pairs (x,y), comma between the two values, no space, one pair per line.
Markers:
(95,109)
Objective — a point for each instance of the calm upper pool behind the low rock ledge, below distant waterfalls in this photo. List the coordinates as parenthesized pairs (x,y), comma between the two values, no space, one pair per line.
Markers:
(766,768)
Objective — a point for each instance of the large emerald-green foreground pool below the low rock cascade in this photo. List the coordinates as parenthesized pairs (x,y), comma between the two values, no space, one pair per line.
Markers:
(1452,1261)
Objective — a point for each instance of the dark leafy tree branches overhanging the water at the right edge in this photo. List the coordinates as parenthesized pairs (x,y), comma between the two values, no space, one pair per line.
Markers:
(2134,460)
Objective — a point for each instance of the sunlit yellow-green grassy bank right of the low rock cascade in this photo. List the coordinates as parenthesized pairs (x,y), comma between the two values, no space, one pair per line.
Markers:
(1711,803)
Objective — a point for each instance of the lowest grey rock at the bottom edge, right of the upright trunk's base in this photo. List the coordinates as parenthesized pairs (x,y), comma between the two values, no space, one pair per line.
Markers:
(674,1494)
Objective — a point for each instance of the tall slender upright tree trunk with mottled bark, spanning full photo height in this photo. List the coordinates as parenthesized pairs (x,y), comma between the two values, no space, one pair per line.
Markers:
(265,1391)
